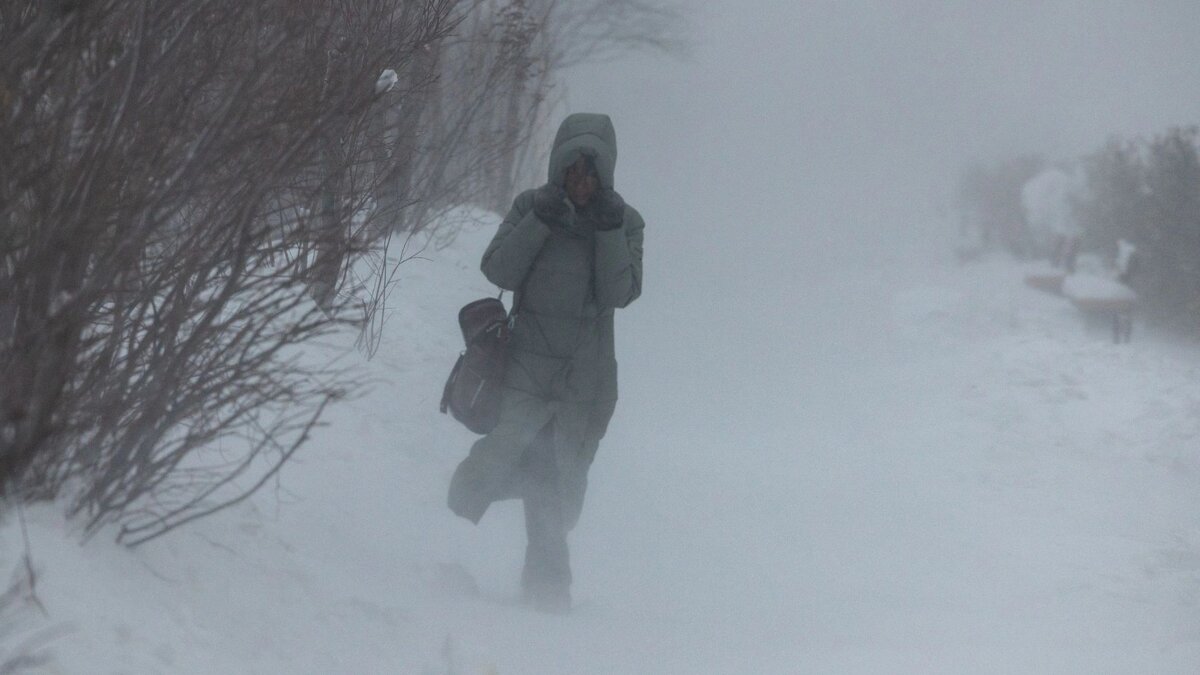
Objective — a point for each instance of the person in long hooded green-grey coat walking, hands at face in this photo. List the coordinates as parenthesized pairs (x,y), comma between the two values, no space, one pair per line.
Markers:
(572,254)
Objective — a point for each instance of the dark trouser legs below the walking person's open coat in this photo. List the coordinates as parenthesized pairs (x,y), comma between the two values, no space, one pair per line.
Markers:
(548,568)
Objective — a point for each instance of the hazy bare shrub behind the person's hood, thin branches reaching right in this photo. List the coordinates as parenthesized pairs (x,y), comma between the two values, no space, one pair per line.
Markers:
(469,123)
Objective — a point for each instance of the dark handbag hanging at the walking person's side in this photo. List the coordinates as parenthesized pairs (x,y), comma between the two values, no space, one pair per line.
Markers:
(472,393)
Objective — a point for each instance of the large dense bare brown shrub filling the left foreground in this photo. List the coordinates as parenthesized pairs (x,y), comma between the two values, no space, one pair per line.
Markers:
(183,177)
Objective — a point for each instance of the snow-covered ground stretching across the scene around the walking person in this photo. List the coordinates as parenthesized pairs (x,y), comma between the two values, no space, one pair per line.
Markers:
(925,469)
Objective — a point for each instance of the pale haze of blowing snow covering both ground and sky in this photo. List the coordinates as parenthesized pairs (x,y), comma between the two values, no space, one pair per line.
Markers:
(837,450)
